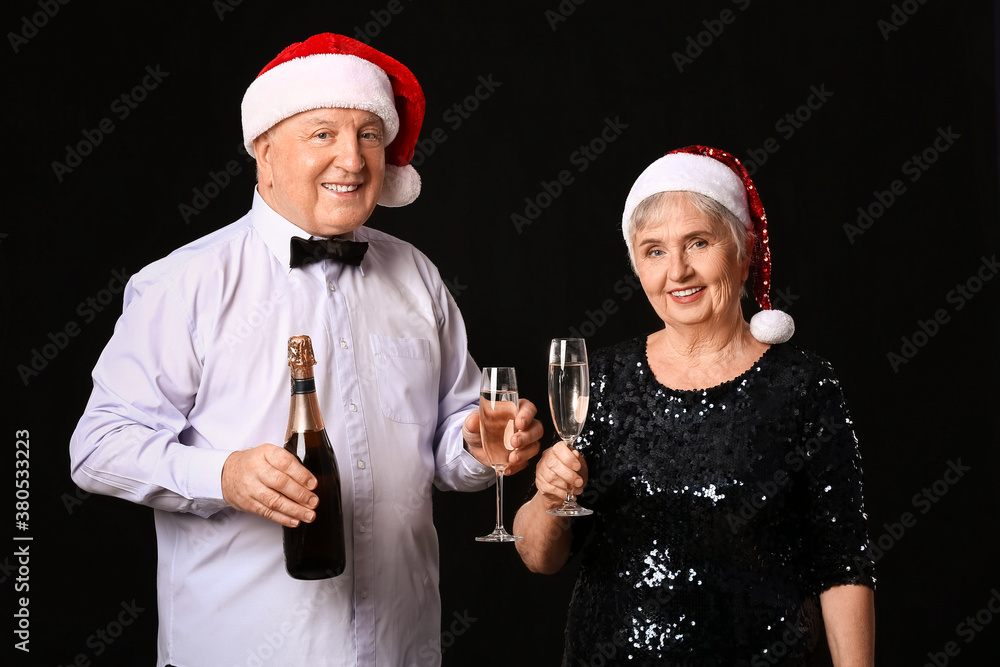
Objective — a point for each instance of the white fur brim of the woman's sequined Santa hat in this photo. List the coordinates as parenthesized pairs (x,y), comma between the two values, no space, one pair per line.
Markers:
(693,173)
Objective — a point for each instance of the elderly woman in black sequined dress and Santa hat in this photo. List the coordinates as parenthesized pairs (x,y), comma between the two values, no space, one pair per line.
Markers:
(725,479)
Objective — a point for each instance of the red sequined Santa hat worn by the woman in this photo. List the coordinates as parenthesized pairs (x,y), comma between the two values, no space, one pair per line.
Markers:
(720,176)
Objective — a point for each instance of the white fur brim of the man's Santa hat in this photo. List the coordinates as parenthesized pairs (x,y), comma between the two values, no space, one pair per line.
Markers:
(323,80)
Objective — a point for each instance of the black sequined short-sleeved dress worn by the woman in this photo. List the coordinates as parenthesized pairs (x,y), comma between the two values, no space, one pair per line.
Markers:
(720,515)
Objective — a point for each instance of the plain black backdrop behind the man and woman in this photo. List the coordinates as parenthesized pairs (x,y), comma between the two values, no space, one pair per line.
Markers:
(558,79)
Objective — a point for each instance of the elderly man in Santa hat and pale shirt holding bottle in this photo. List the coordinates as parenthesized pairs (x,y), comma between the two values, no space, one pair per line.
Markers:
(194,379)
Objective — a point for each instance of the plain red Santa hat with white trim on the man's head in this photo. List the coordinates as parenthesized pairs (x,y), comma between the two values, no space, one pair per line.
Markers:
(333,71)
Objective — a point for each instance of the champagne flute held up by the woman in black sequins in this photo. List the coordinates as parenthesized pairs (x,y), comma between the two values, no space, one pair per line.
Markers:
(569,398)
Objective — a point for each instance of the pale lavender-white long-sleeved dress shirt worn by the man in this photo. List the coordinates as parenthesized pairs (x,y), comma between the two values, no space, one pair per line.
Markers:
(197,369)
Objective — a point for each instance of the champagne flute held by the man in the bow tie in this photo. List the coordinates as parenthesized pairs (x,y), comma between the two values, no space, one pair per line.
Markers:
(497,410)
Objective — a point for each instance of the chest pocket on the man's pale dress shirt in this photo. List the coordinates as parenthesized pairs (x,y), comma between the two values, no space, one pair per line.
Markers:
(407,381)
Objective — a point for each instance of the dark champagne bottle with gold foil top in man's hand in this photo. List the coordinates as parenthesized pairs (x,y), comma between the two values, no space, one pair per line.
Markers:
(313,550)
